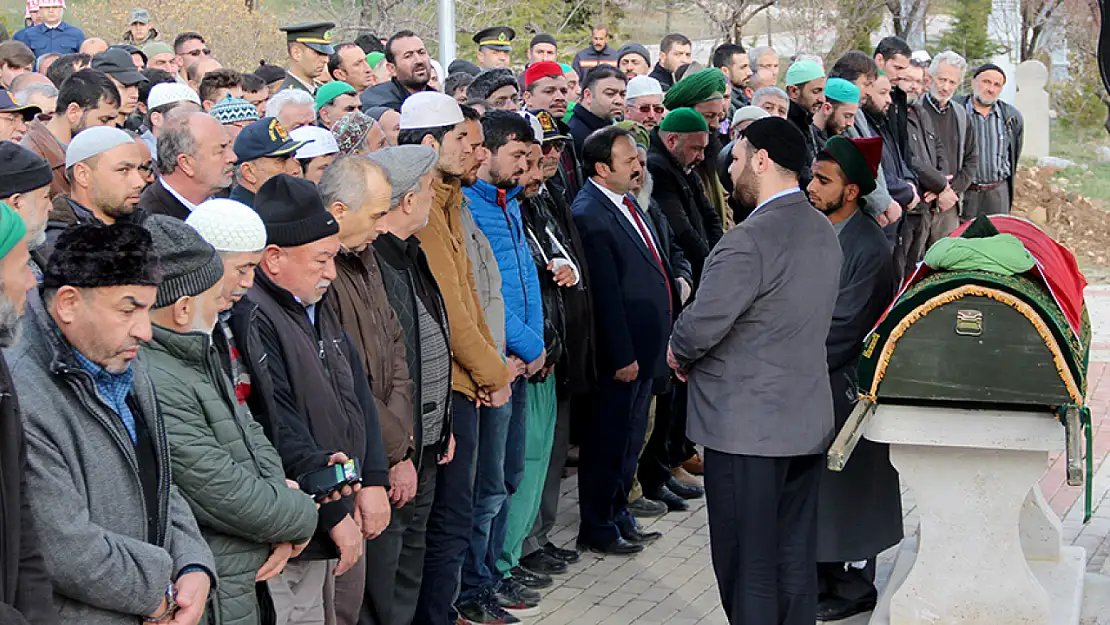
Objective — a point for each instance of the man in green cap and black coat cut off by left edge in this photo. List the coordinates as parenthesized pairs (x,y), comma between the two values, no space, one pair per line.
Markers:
(26,597)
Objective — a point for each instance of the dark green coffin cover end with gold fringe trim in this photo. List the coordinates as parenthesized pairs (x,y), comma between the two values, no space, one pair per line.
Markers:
(971,337)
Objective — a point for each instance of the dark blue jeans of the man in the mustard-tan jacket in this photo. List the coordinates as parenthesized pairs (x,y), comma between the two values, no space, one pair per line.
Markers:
(451,520)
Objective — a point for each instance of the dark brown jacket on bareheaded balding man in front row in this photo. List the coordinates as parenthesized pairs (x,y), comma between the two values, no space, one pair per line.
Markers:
(360,301)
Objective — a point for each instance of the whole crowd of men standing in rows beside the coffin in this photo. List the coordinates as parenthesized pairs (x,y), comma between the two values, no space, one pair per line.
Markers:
(312,345)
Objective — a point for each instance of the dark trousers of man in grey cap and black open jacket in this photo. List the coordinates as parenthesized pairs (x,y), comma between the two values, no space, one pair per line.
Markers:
(396,560)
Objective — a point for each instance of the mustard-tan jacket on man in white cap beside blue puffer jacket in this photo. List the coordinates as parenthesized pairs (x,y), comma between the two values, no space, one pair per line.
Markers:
(476,361)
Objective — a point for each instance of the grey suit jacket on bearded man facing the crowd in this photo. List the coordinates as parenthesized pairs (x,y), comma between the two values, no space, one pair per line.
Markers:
(754,339)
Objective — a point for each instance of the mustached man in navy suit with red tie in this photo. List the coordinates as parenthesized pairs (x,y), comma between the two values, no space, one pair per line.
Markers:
(634,299)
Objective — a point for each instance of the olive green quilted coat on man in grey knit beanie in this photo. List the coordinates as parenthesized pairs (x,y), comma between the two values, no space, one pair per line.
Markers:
(226,469)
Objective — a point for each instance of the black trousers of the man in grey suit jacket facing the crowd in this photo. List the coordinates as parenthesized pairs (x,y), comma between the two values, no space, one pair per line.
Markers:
(763,537)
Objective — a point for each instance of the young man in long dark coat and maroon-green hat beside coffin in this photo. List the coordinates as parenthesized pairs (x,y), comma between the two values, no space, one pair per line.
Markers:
(860,509)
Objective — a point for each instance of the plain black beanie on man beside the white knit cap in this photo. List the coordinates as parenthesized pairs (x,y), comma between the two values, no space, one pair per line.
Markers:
(294,213)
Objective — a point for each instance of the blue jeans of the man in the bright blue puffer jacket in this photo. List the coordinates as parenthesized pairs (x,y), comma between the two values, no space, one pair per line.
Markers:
(499,473)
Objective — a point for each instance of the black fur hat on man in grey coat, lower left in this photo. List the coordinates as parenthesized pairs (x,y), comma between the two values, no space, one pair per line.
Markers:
(95,256)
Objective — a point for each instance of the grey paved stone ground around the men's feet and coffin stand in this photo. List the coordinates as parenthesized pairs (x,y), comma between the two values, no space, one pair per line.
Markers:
(672,581)
